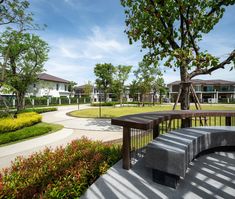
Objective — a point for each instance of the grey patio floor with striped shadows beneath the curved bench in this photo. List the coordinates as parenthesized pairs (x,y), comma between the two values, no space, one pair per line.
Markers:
(210,176)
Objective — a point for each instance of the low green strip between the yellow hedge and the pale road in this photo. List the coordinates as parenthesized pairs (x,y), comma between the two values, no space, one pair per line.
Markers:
(28,132)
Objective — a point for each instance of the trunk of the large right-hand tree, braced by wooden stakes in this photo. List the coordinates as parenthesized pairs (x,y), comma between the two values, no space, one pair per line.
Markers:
(185,102)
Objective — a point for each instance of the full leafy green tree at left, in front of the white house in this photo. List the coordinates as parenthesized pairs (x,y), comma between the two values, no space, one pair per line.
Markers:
(27,54)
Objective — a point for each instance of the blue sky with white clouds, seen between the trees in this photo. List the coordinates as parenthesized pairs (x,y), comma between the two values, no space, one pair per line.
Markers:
(82,33)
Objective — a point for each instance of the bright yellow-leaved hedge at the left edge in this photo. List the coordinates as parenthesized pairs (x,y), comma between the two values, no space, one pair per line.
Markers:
(22,120)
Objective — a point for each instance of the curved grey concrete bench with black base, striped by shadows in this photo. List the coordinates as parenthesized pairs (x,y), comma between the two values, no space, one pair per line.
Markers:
(170,154)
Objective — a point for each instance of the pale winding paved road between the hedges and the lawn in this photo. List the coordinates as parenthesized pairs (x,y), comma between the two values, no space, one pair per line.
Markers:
(74,128)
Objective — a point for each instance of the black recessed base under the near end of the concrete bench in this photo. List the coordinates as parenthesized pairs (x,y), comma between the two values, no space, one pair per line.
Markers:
(164,178)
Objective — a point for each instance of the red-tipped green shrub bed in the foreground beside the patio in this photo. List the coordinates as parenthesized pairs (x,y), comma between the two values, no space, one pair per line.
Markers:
(62,173)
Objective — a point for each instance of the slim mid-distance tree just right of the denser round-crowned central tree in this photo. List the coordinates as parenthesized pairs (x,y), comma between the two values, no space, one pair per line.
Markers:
(121,75)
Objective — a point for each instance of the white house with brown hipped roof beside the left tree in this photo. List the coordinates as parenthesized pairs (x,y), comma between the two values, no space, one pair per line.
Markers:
(49,85)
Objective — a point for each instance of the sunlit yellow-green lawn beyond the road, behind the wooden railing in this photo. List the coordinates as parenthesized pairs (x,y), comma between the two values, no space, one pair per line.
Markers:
(111,112)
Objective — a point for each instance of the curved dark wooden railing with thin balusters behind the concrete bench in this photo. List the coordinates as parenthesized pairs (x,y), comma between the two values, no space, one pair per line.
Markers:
(140,129)
